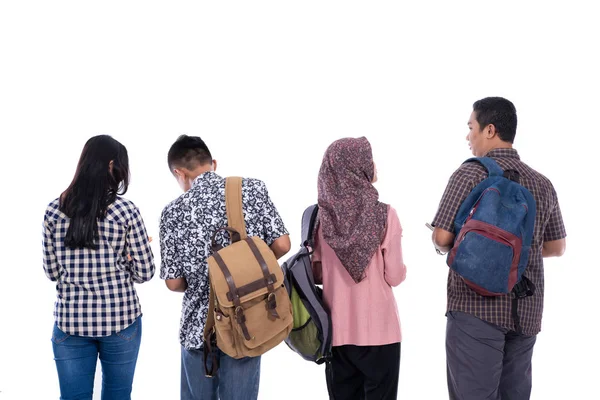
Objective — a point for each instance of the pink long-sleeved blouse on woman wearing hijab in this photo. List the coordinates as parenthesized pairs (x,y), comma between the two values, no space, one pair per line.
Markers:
(365,313)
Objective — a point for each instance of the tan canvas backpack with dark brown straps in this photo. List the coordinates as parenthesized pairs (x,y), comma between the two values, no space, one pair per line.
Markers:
(250,310)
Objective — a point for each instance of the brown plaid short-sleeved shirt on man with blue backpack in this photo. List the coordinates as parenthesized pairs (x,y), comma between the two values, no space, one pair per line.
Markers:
(548,226)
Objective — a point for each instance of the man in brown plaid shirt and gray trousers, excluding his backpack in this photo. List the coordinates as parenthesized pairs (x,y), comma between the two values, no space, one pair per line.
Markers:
(488,356)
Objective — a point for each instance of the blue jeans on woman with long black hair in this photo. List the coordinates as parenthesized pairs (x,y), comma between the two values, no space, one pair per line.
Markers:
(76,358)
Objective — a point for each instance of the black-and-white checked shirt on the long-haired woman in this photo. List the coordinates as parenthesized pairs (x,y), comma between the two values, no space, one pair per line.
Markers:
(95,292)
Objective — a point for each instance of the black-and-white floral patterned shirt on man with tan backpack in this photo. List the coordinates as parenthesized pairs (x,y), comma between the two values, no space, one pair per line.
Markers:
(187,225)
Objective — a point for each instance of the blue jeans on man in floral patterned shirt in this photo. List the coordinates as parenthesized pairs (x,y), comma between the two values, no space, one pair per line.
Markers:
(236,379)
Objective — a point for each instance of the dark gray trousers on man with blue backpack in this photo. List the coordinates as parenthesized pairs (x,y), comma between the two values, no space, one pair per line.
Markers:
(486,362)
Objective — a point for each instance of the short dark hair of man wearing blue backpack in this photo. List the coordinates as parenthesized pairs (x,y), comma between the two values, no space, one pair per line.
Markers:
(499,112)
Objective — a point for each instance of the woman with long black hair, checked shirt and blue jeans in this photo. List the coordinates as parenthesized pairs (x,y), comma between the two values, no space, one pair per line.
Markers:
(95,248)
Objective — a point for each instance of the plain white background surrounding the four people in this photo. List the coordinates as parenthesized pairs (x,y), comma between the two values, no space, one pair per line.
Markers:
(269,85)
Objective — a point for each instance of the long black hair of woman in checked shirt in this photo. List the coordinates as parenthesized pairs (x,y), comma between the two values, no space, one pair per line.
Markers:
(93,189)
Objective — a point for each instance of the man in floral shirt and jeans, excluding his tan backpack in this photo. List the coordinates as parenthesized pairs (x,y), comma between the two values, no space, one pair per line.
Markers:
(186,228)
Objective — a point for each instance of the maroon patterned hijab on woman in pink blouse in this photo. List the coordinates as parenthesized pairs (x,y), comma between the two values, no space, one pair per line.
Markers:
(351,217)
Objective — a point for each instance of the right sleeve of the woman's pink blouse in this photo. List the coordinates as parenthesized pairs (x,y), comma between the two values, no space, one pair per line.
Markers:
(394,268)
